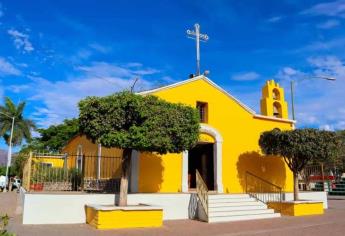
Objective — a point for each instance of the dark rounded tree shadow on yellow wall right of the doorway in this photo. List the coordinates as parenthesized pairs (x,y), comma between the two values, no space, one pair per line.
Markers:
(270,168)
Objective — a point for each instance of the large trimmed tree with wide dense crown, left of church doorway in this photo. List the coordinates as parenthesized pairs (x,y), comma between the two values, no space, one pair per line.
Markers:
(143,123)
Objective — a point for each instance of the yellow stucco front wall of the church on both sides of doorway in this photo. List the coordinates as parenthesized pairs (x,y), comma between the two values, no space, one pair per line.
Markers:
(240,131)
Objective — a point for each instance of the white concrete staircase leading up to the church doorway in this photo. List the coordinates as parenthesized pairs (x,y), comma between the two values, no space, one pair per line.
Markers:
(236,207)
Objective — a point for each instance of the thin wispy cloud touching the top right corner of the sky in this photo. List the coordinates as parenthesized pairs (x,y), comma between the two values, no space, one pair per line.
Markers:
(335,8)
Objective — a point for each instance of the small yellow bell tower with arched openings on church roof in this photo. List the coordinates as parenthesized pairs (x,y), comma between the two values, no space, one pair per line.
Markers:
(272,102)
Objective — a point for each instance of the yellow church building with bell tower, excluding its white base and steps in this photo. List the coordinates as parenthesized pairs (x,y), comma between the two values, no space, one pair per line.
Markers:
(227,148)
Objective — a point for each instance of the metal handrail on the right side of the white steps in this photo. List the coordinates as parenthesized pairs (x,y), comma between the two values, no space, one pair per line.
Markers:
(262,190)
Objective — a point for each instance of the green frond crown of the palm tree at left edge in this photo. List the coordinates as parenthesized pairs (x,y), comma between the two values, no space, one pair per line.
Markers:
(22,127)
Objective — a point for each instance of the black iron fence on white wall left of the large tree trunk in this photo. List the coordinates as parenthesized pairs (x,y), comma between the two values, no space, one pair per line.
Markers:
(73,172)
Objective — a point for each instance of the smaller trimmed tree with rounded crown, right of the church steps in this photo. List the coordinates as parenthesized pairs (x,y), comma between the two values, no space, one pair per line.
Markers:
(300,146)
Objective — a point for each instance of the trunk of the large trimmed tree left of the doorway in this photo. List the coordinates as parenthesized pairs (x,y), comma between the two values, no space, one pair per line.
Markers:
(126,163)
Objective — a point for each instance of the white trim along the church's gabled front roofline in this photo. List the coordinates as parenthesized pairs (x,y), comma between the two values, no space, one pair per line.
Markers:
(251,111)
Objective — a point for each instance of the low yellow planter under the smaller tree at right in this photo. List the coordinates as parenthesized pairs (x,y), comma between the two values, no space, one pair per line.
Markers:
(298,208)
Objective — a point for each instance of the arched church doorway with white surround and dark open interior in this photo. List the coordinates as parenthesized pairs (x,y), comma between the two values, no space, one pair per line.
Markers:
(204,156)
